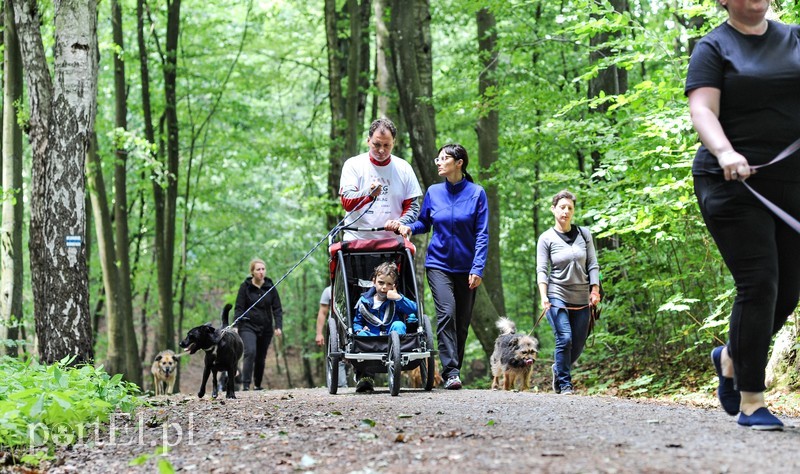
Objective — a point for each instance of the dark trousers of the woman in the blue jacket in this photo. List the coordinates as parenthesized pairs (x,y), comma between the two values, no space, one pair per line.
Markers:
(454,301)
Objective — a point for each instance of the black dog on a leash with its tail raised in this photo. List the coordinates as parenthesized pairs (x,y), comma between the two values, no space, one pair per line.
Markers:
(223,348)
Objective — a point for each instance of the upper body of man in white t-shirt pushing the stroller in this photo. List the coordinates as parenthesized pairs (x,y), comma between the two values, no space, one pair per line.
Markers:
(381,177)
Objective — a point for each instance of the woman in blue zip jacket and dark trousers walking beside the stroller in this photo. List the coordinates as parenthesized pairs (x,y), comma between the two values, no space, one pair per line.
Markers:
(458,211)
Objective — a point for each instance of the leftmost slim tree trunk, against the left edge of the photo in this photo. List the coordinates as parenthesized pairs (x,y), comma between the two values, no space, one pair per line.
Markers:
(11,236)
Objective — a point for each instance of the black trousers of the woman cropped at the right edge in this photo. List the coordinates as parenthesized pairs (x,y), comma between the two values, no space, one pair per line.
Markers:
(763,256)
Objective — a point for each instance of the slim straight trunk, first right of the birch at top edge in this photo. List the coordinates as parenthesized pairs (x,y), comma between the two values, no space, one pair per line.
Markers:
(133,365)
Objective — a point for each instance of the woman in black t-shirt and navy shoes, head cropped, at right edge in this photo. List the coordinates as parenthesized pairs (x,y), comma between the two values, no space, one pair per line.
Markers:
(744,101)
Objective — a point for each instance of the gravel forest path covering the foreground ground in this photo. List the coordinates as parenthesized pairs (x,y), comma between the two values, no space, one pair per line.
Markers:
(308,430)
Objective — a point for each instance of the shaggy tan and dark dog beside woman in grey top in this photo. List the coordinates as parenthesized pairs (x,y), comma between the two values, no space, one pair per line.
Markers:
(513,357)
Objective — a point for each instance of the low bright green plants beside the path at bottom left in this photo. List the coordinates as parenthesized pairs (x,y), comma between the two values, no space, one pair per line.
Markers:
(57,404)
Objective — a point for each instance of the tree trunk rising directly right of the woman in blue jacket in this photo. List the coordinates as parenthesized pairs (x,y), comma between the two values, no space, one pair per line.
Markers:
(488,150)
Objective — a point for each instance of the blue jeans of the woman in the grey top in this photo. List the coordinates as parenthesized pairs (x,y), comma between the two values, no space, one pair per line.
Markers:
(570,328)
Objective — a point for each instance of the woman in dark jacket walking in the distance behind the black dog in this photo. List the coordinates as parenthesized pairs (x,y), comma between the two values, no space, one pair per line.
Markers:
(256,327)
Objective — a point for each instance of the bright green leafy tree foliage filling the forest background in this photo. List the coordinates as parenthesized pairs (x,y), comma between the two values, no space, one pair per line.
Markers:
(254,132)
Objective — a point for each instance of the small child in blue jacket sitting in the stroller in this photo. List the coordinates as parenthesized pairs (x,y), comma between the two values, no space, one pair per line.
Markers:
(380,311)
